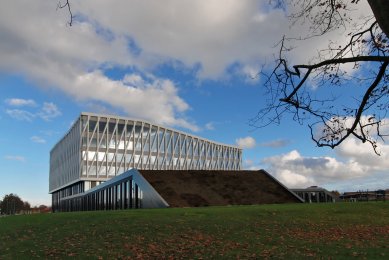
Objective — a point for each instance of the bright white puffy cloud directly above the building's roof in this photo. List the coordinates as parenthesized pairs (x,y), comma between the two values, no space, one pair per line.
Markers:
(151,98)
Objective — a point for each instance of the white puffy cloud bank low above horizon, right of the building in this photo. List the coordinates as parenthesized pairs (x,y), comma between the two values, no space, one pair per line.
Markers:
(297,171)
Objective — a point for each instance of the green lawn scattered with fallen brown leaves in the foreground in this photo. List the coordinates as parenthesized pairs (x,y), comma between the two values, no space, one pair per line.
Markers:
(340,230)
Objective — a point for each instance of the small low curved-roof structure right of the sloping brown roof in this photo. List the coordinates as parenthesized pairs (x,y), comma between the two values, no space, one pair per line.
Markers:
(315,194)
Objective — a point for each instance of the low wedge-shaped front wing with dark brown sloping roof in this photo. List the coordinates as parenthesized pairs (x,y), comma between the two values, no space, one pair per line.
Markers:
(180,188)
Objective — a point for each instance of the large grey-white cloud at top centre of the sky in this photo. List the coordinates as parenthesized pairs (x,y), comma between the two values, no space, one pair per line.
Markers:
(228,32)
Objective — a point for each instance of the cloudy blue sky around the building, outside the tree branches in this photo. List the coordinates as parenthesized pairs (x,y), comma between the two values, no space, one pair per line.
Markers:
(190,65)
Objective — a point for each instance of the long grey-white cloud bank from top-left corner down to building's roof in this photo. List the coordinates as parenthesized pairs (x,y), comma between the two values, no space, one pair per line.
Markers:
(73,59)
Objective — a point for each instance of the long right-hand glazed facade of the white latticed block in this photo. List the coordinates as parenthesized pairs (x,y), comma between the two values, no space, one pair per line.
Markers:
(110,146)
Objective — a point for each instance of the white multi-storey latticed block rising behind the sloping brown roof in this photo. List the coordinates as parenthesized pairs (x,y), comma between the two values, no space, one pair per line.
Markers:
(100,147)
